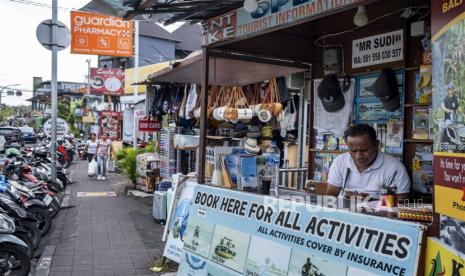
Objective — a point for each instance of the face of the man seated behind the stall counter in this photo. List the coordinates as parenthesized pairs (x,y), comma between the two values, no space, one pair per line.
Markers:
(362,150)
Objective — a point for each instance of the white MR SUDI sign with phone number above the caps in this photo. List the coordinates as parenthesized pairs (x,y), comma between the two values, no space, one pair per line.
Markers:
(378,49)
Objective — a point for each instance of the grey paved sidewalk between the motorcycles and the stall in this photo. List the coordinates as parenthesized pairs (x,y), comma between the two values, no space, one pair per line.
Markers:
(104,235)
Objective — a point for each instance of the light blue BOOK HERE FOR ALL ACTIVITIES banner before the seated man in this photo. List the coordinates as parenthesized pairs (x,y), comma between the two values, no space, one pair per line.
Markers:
(256,235)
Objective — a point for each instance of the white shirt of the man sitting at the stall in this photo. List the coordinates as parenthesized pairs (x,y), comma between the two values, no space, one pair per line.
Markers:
(371,180)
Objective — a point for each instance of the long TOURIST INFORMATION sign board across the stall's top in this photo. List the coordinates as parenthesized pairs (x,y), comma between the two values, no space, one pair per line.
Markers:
(269,15)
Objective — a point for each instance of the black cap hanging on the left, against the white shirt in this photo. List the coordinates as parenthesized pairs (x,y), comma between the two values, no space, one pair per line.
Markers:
(330,93)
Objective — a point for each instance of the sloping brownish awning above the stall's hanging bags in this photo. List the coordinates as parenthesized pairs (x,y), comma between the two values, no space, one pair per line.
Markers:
(223,71)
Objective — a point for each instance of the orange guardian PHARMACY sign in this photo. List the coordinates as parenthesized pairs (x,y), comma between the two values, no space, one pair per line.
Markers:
(96,34)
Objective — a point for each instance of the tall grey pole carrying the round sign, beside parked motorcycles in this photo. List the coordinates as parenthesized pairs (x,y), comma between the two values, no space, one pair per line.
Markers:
(54,88)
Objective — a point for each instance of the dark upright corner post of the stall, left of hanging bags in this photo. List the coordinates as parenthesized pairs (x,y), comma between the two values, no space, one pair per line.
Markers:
(203,116)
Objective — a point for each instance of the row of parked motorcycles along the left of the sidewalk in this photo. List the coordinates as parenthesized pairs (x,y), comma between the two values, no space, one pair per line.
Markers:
(29,200)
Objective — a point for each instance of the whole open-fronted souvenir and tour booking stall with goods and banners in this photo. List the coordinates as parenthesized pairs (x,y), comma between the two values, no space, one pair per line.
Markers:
(366,62)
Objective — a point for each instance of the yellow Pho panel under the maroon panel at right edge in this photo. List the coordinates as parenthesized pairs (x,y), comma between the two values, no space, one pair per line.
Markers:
(449,202)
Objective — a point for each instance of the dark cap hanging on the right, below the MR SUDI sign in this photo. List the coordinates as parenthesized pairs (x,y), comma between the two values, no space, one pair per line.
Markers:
(386,89)
